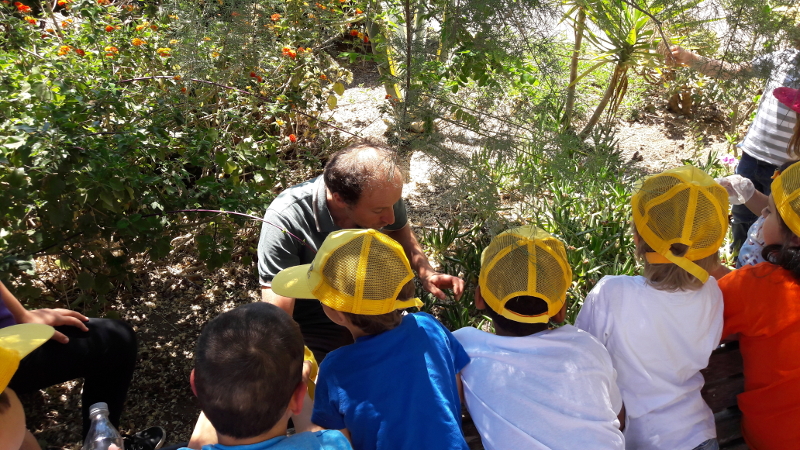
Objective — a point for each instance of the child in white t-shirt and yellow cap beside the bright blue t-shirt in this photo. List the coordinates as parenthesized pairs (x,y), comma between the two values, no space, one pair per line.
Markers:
(530,387)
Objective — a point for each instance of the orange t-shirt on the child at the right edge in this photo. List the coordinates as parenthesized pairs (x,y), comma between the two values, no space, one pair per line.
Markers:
(762,304)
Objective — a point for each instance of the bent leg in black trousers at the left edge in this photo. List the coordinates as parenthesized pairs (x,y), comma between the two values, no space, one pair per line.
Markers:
(104,357)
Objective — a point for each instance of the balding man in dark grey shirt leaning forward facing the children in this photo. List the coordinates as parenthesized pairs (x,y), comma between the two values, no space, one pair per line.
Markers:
(360,188)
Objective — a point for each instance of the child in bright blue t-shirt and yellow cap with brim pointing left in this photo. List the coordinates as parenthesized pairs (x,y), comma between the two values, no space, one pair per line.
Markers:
(397,386)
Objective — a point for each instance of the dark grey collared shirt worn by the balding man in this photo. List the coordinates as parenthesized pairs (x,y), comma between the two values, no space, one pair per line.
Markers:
(303,211)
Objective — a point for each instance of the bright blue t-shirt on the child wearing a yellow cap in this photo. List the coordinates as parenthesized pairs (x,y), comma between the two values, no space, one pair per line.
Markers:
(395,390)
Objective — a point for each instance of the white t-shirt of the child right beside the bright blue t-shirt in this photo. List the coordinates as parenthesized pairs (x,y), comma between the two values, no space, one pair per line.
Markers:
(552,390)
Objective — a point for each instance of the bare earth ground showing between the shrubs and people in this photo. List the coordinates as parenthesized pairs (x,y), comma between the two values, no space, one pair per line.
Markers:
(172,299)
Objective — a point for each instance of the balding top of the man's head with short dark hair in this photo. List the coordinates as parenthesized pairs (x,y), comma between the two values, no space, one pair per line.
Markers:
(361,166)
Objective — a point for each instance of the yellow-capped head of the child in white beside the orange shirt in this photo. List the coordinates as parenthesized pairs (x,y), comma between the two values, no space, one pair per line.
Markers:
(679,220)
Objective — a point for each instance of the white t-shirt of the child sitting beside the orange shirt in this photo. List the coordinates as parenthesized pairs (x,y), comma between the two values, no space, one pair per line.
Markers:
(658,341)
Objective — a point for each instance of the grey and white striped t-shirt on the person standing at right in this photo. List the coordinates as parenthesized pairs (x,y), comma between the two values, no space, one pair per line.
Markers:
(768,137)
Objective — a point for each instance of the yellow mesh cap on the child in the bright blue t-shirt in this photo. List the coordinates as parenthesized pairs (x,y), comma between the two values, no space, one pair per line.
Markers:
(354,271)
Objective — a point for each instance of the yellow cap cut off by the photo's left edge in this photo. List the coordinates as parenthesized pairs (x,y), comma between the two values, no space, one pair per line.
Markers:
(16,342)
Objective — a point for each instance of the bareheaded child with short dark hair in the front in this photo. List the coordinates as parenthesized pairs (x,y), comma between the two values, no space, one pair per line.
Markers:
(247,378)
